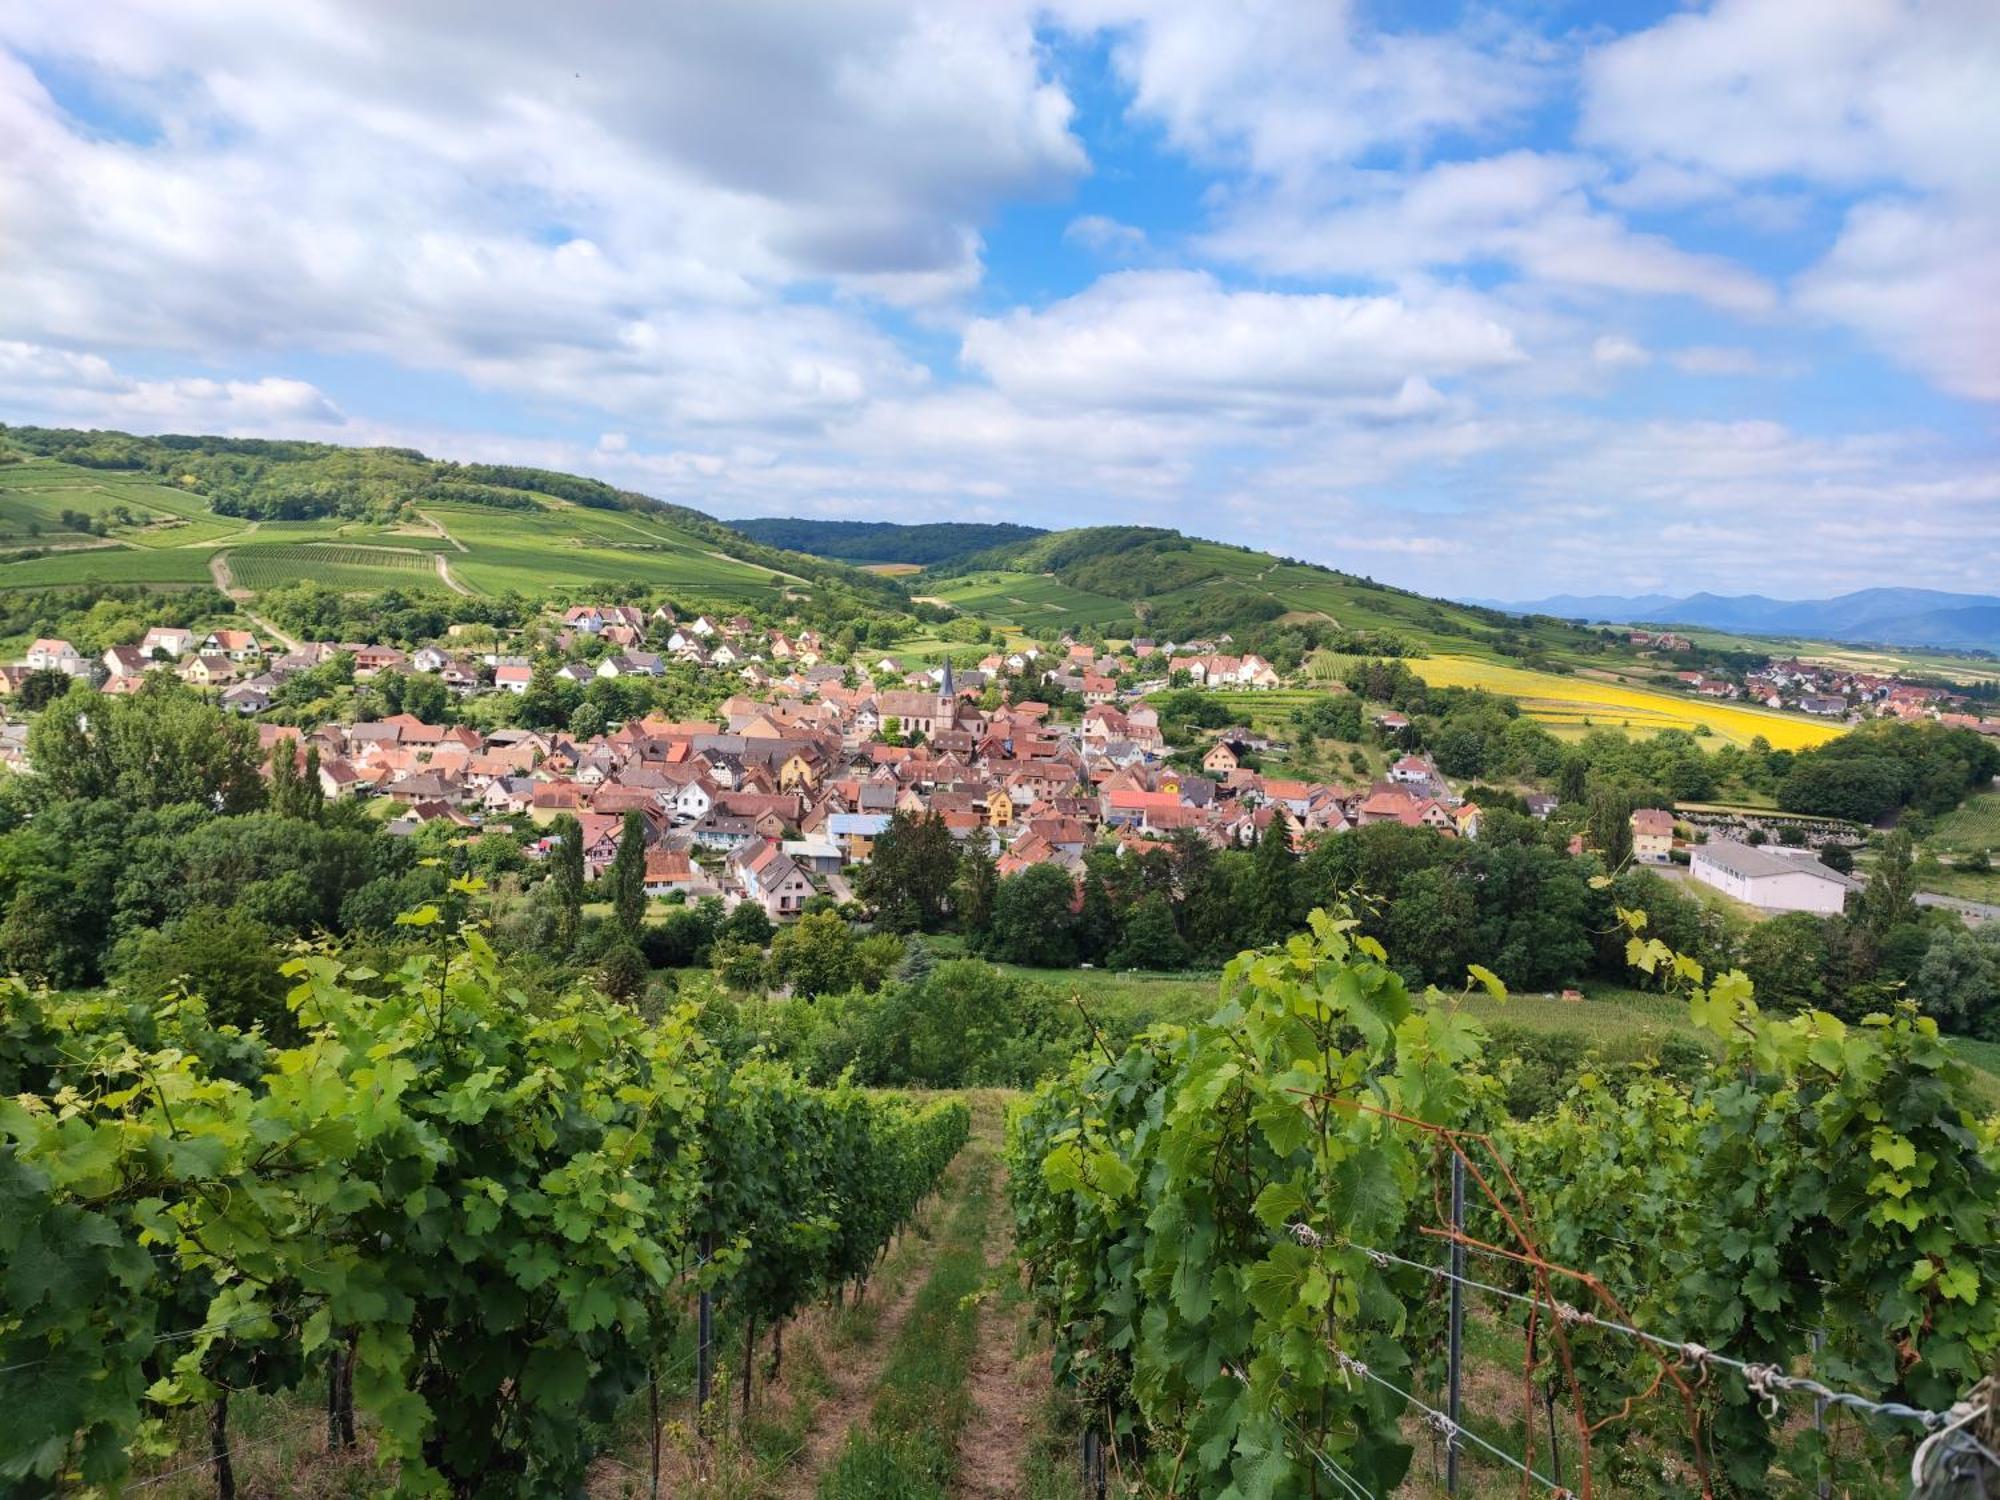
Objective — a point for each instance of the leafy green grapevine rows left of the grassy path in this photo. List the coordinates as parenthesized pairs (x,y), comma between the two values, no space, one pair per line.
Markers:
(477,1225)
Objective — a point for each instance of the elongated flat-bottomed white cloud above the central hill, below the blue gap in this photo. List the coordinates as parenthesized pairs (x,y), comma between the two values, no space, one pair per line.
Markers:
(1181,341)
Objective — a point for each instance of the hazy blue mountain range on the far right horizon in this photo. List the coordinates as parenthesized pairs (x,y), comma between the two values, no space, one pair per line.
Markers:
(1885,617)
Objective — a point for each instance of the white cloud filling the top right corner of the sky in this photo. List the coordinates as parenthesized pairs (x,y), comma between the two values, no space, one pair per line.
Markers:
(1893,99)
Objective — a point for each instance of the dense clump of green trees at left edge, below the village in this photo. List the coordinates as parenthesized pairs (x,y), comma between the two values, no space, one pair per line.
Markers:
(153,843)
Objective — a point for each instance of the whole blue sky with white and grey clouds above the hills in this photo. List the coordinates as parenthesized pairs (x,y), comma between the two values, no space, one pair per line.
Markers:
(1483,301)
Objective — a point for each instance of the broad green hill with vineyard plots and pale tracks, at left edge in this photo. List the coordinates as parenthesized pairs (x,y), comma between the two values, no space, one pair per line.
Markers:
(179,511)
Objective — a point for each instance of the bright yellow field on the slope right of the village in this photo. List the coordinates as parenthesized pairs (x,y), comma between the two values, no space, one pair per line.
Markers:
(1565,703)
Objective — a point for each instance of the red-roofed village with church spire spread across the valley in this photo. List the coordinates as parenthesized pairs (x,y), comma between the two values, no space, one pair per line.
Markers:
(805,765)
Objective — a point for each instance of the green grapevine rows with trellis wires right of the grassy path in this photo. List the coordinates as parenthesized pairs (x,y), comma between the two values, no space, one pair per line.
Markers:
(1251,1249)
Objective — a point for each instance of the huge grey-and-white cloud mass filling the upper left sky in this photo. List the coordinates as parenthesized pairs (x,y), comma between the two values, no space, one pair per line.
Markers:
(637,209)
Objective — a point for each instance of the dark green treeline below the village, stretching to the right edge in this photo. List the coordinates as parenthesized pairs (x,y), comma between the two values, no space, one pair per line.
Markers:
(1515,901)
